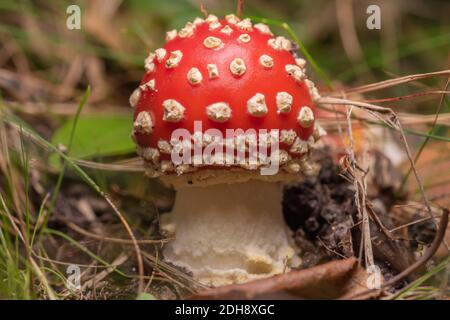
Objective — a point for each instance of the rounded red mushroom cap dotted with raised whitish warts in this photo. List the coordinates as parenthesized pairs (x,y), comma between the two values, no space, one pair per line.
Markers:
(228,74)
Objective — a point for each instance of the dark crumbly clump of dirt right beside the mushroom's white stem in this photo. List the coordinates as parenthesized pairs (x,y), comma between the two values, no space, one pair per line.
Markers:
(320,210)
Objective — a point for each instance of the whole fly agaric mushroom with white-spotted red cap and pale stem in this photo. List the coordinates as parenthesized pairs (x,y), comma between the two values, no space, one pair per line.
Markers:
(226,74)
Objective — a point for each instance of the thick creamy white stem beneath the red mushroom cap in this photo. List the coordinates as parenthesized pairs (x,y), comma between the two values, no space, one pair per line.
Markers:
(229,233)
